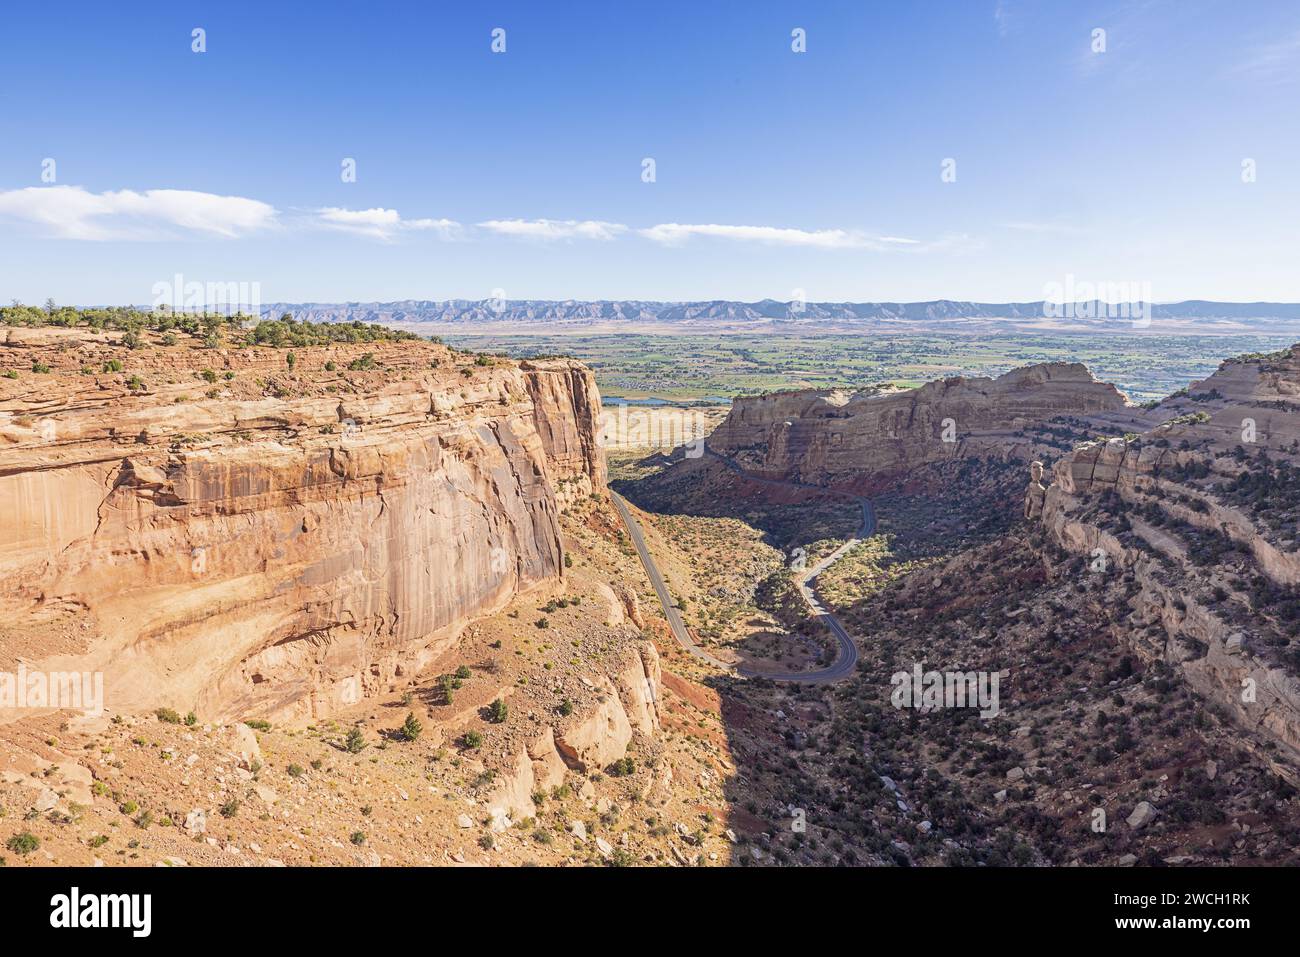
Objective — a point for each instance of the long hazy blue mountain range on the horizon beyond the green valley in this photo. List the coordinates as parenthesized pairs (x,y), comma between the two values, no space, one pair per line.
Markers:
(1199,314)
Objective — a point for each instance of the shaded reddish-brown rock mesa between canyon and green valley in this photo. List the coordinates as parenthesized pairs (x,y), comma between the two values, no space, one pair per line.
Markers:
(866,441)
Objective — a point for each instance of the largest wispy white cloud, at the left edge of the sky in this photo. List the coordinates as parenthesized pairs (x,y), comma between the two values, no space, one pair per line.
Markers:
(73,213)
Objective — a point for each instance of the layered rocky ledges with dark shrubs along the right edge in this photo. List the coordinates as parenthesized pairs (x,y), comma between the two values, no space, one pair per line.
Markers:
(1195,522)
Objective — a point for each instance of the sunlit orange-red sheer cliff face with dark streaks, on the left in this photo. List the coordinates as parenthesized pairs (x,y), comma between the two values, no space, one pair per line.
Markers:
(289,544)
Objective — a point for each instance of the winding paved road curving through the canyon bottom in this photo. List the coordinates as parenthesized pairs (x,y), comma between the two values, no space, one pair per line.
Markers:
(847,657)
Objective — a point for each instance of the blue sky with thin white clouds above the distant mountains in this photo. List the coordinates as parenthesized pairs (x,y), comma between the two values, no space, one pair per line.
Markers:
(774,171)
